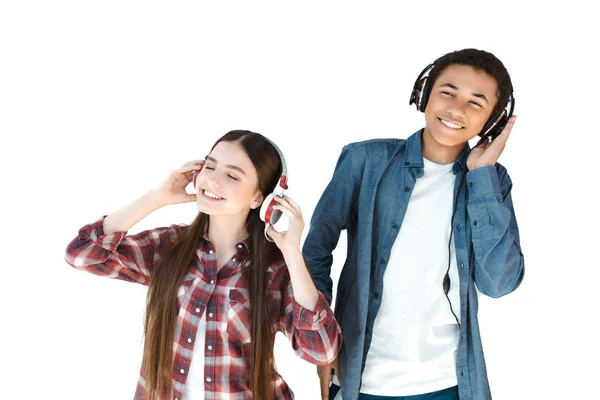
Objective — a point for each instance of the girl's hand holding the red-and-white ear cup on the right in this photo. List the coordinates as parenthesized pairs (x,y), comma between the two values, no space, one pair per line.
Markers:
(289,240)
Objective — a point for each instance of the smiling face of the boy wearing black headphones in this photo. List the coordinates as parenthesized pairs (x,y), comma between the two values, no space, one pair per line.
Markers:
(460,103)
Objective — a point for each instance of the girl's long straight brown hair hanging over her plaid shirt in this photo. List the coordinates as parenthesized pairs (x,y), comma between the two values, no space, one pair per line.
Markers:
(161,309)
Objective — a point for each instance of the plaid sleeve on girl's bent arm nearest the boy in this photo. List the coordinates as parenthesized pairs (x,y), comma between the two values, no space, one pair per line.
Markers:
(315,335)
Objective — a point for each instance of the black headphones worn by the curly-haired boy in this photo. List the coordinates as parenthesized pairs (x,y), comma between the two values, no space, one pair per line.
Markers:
(492,128)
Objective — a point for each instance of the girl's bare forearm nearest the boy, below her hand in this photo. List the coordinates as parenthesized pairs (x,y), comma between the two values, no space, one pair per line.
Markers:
(305,292)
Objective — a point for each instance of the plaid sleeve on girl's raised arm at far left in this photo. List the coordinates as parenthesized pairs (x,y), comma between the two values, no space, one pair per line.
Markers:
(117,255)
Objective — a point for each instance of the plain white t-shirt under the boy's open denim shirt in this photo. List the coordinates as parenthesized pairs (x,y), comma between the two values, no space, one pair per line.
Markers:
(415,335)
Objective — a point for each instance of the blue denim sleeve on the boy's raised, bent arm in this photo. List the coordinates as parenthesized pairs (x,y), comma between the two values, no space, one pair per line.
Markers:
(499,262)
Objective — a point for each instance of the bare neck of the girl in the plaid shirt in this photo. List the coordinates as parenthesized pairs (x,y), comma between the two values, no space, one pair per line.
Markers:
(225,231)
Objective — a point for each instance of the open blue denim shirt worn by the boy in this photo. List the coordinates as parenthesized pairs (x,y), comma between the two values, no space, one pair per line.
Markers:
(368,196)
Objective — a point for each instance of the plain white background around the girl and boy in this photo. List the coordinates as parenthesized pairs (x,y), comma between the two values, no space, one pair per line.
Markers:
(100,100)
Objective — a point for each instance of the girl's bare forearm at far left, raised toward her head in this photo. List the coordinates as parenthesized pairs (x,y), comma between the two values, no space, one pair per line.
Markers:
(123,219)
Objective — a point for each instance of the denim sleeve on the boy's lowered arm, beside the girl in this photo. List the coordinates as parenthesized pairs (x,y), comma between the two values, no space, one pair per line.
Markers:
(330,217)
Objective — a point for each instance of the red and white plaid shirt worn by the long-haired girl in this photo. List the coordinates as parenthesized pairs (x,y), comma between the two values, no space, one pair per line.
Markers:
(222,294)
